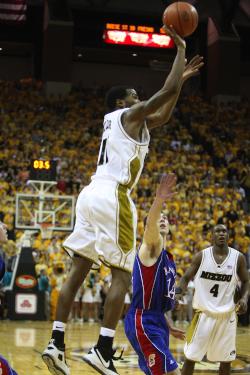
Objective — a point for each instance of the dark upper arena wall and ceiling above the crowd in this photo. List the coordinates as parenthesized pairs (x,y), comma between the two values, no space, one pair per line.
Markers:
(67,46)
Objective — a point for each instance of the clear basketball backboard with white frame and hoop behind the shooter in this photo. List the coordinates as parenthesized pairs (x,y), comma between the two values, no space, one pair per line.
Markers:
(44,211)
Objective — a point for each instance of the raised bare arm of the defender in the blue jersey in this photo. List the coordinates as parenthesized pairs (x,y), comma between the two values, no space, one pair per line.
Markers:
(152,241)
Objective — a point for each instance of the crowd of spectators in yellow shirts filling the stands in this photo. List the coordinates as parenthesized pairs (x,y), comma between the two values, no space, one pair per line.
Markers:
(205,144)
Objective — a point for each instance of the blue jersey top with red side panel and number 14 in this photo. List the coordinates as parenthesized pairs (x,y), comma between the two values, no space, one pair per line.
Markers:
(154,286)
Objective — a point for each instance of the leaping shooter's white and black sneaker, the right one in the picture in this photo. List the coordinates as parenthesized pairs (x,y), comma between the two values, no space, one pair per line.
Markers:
(96,360)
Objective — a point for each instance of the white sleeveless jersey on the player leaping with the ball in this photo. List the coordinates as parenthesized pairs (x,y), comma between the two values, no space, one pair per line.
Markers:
(121,158)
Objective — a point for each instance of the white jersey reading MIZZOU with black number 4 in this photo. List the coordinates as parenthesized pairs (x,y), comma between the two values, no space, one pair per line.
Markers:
(215,283)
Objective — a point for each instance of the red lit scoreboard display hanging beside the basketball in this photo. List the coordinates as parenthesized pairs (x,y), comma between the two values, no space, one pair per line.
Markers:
(136,35)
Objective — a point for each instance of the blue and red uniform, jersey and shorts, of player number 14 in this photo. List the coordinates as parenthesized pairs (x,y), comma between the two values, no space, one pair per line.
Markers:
(145,323)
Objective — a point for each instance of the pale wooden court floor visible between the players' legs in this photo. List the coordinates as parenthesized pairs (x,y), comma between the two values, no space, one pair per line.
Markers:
(22,342)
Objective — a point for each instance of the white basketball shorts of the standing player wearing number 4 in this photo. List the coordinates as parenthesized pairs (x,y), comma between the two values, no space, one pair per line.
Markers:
(213,336)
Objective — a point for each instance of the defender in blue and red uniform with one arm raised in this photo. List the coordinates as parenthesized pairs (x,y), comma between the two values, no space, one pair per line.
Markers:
(153,281)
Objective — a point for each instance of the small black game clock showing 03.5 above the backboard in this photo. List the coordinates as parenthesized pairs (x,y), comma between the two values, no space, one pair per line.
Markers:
(43,170)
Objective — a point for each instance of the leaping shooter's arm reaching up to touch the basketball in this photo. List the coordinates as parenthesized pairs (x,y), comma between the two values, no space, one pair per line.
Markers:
(140,112)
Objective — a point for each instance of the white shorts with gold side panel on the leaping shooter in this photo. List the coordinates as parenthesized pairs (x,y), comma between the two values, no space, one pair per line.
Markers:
(105,227)
